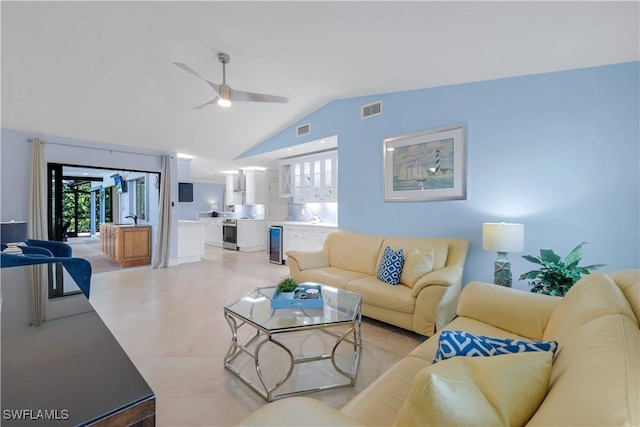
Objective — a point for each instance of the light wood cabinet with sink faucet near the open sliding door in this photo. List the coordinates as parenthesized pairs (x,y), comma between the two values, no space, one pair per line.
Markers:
(128,245)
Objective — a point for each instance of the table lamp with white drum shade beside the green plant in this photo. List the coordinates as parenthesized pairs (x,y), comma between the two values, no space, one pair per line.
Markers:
(502,237)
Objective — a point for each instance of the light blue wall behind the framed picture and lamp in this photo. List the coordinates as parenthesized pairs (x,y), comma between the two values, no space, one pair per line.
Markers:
(558,152)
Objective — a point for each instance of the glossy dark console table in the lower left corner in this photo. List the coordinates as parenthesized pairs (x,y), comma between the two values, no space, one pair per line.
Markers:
(70,371)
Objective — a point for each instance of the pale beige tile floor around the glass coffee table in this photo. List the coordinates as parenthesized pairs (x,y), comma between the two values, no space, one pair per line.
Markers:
(170,323)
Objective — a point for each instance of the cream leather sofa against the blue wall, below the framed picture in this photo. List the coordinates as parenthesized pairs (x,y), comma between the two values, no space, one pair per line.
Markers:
(426,298)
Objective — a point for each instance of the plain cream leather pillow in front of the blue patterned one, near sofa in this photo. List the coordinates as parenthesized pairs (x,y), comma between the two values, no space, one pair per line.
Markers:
(478,391)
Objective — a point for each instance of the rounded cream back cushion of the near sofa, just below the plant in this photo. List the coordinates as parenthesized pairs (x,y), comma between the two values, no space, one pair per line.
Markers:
(593,296)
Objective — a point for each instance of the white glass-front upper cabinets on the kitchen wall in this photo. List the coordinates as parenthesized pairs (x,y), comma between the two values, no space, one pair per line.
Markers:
(310,178)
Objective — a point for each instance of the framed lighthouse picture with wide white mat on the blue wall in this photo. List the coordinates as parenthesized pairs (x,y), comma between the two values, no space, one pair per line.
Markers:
(425,166)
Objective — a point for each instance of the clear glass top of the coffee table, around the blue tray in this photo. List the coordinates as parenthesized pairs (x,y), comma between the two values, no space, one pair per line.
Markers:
(339,306)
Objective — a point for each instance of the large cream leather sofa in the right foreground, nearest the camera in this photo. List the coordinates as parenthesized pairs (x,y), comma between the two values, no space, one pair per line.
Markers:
(594,378)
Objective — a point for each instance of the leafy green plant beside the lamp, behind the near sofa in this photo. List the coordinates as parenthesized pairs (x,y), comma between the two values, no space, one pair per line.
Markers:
(555,275)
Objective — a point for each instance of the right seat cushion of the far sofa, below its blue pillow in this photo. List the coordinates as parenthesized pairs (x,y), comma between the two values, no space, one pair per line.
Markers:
(378,293)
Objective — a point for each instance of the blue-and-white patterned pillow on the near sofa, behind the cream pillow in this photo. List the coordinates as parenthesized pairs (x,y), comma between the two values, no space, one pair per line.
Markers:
(460,343)
